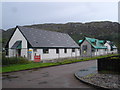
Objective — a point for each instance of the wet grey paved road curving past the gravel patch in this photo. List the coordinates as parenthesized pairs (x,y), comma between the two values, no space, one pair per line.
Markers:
(51,77)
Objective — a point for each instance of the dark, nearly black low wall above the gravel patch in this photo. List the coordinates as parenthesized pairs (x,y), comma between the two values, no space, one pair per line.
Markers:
(109,64)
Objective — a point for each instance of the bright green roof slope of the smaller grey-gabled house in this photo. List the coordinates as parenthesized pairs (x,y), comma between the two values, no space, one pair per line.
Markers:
(98,44)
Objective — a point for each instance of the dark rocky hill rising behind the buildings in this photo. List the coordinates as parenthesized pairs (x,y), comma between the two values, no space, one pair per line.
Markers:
(105,30)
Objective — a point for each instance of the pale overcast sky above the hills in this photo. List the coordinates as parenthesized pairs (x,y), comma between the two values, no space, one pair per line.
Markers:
(28,13)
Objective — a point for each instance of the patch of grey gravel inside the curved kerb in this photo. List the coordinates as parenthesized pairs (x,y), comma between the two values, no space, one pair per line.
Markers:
(103,80)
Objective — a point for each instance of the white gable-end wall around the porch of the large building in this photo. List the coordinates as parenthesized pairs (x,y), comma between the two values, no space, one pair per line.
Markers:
(18,36)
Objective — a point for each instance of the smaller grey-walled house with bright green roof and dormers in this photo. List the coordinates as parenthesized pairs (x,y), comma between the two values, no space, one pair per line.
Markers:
(93,47)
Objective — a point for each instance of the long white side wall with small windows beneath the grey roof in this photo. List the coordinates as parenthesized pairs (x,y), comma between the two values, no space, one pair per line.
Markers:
(53,55)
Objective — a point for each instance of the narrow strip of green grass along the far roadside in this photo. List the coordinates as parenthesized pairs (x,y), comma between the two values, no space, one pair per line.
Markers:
(17,67)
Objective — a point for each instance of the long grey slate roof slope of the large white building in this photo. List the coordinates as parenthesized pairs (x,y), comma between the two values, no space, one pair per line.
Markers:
(43,38)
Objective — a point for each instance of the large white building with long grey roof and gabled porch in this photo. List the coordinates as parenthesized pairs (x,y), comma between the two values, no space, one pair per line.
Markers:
(29,42)
